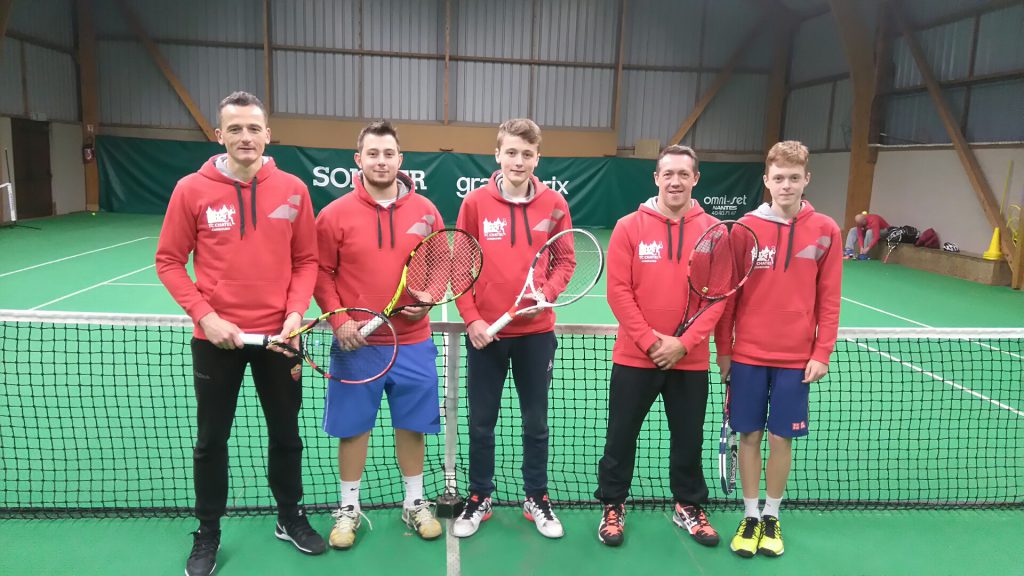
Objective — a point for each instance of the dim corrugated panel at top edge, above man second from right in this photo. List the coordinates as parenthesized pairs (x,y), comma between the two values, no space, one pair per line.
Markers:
(664,33)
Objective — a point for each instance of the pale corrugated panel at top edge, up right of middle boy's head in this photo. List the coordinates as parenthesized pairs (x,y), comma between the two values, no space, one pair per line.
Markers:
(578,31)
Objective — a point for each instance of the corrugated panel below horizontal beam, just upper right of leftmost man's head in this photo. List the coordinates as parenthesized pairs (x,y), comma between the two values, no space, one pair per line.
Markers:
(317,85)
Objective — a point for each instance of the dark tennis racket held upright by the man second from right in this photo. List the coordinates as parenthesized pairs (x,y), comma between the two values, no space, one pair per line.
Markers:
(714,272)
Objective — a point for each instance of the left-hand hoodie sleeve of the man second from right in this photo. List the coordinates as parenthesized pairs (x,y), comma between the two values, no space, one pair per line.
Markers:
(622,300)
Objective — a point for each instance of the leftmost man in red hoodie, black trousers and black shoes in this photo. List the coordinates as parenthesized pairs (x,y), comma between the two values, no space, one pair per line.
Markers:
(255,261)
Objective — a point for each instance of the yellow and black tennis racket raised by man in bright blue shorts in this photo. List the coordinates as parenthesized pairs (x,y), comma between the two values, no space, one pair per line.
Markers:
(442,268)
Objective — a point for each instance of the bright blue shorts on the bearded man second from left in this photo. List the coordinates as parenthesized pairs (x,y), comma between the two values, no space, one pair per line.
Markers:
(411,387)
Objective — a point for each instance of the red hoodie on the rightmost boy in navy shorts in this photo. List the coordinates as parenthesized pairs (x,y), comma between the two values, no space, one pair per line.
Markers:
(788,312)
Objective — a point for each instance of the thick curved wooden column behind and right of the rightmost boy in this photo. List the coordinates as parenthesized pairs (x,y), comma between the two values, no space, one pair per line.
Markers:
(859,46)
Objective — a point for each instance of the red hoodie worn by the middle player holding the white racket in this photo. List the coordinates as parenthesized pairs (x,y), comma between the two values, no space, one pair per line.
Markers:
(510,234)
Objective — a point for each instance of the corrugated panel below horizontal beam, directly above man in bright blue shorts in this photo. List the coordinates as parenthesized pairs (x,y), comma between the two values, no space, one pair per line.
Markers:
(402,89)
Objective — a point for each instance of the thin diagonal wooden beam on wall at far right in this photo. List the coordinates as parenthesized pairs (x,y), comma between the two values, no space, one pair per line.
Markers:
(974,174)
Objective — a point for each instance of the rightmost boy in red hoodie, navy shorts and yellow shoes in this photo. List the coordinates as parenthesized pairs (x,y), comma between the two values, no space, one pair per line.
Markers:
(777,337)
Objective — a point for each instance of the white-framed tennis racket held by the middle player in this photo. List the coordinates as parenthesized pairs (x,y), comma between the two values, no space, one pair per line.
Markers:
(564,271)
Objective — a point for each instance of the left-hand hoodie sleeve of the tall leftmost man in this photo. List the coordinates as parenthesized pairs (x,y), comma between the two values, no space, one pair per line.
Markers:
(178,241)
